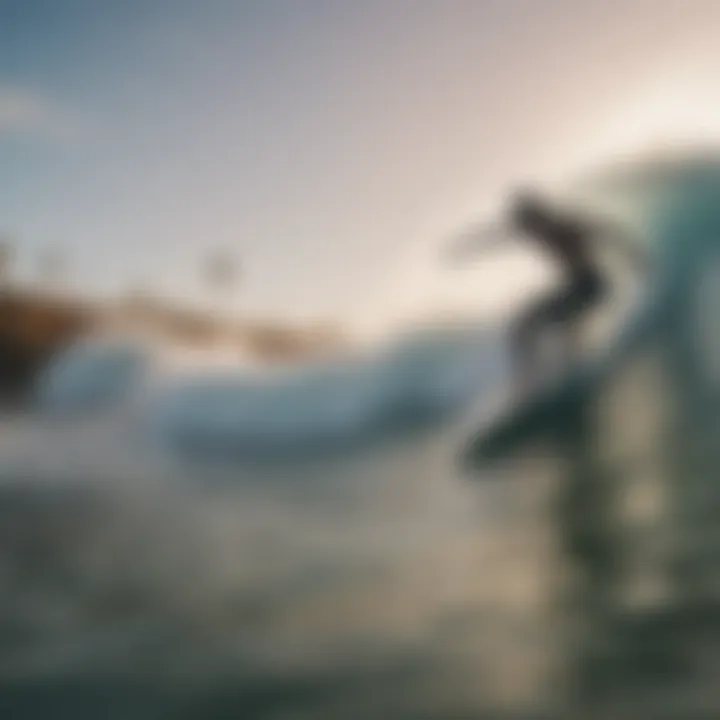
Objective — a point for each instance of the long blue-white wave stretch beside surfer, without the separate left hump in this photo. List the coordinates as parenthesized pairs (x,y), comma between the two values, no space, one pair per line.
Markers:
(418,380)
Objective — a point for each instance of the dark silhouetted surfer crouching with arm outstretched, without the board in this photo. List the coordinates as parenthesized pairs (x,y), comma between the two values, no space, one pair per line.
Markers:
(571,243)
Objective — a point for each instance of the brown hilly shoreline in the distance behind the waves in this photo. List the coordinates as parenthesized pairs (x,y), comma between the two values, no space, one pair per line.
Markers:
(35,325)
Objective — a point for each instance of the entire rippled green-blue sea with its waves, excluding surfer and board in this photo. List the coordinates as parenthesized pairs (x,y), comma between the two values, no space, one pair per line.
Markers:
(307,545)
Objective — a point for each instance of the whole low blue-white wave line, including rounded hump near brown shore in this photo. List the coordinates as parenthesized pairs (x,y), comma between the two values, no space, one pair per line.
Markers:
(417,379)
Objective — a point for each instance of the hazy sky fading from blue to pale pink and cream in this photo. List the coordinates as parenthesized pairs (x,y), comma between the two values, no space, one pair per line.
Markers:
(326,144)
